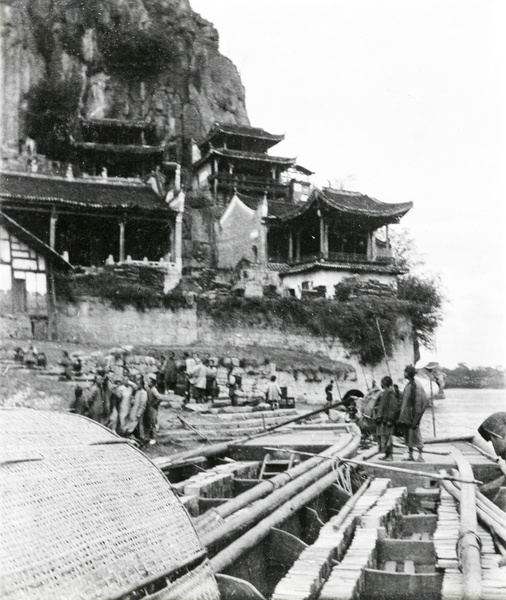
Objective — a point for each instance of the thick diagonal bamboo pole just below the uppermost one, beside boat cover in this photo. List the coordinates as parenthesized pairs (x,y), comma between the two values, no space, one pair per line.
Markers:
(261,508)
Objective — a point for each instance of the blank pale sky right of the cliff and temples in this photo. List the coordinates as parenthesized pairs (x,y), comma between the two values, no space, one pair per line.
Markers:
(401,100)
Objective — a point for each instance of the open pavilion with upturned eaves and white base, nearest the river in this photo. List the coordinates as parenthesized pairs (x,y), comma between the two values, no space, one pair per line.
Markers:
(330,237)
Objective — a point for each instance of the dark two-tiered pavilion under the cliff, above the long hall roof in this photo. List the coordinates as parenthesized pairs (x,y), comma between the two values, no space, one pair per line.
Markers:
(123,148)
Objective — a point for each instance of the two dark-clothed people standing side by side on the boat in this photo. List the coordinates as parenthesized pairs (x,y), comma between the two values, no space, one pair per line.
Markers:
(396,413)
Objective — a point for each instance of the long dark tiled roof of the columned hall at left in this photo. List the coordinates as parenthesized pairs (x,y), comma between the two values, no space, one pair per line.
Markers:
(37,189)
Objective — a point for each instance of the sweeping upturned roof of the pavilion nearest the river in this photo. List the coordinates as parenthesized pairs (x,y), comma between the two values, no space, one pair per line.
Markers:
(350,204)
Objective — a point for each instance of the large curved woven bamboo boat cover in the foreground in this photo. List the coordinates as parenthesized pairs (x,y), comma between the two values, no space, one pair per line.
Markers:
(85,515)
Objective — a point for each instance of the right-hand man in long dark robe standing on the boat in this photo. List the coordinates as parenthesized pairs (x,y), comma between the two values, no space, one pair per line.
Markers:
(414,403)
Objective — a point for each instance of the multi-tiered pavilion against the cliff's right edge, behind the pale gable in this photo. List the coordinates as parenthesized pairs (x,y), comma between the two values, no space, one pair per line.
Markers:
(234,159)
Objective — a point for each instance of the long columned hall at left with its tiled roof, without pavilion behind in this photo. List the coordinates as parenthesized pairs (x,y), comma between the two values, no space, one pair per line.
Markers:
(91,220)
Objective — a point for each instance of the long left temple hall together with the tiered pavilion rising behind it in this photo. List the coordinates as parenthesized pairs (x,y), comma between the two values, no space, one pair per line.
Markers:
(118,199)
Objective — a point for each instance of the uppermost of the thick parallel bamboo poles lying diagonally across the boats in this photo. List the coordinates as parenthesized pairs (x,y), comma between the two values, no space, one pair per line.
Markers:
(266,487)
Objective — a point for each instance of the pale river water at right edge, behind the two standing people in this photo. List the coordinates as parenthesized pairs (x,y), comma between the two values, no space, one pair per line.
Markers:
(463,411)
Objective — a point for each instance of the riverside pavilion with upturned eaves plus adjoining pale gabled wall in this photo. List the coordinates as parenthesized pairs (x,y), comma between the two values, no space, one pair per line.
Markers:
(312,245)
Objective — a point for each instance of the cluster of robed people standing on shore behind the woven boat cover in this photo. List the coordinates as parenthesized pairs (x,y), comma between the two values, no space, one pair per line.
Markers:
(127,405)
